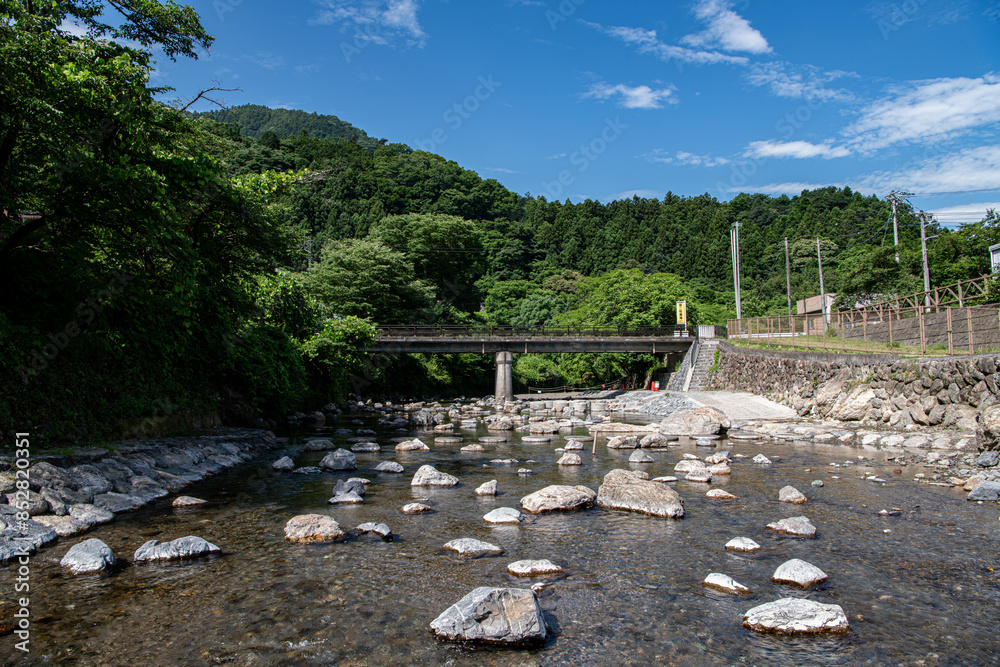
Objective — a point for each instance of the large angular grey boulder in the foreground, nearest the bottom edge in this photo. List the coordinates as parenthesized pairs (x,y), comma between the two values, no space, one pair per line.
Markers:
(509,616)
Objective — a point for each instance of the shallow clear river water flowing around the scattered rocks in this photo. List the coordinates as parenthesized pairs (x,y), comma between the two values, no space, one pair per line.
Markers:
(630,592)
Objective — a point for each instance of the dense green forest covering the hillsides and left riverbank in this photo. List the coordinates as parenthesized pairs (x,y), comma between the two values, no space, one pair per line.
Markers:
(158,262)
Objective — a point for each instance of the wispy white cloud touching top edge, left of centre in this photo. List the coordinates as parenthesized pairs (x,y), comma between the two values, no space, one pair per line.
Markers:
(379,21)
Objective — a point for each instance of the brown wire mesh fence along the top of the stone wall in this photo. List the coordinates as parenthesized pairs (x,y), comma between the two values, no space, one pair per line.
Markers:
(934,330)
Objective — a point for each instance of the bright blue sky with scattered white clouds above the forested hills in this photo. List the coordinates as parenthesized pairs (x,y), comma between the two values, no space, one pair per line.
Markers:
(593,99)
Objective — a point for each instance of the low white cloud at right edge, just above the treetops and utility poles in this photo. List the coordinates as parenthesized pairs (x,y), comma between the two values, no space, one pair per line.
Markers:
(970,169)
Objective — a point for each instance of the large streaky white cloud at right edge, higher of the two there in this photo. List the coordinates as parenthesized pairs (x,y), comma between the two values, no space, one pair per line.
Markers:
(936,110)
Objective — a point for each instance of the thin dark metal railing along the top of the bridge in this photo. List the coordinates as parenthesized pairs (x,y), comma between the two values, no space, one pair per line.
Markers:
(455,331)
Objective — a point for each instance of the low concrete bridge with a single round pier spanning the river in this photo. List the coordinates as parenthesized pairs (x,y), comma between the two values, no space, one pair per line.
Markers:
(504,341)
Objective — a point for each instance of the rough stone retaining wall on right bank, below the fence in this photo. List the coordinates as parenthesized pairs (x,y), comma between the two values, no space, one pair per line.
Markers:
(873,389)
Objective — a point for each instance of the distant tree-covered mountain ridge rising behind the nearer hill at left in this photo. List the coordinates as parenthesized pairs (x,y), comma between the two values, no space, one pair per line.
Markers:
(254,120)
